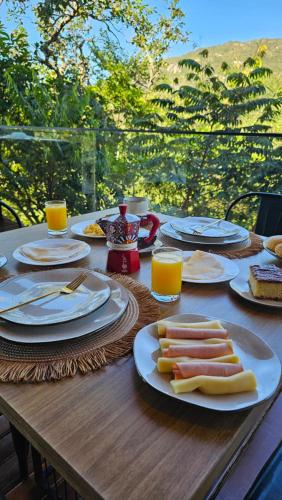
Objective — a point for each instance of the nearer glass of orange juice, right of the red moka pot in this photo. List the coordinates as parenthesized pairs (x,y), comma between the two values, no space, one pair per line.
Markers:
(166,273)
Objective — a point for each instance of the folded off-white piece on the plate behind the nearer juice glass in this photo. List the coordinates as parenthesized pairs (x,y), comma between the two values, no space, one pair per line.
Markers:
(202,266)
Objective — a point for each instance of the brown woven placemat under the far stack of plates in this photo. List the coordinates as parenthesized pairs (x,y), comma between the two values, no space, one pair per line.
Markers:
(251,246)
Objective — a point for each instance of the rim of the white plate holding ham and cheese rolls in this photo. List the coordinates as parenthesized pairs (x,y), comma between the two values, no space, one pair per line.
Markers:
(200,317)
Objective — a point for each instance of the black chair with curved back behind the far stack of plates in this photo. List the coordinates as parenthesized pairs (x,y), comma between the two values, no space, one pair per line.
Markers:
(269,216)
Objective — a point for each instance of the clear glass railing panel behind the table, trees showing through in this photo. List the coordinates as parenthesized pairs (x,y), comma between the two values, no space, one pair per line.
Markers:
(181,172)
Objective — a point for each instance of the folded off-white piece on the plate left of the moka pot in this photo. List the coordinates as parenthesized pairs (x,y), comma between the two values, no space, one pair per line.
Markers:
(52,253)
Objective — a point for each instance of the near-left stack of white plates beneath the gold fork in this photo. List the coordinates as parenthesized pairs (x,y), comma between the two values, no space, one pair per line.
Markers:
(97,303)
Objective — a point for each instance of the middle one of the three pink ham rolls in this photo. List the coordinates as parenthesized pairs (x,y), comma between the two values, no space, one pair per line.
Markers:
(197,351)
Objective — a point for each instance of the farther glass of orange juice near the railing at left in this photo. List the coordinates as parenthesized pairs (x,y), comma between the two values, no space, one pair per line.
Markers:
(56,216)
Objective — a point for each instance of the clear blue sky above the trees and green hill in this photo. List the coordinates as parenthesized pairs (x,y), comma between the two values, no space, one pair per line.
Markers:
(211,22)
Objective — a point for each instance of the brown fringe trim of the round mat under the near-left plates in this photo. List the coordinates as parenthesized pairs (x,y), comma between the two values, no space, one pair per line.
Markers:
(33,371)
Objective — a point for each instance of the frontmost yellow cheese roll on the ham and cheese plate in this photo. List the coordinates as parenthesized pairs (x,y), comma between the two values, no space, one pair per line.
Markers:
(240,382)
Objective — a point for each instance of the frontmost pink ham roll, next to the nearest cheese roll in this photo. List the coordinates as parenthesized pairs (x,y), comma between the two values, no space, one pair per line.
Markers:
(192,369)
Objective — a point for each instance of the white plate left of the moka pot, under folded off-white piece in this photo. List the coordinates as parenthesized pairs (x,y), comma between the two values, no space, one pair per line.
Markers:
(51,242)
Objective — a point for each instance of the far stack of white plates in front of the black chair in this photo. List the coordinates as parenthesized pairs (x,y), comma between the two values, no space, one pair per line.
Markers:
(222,233)
